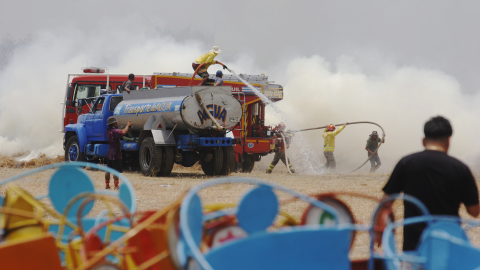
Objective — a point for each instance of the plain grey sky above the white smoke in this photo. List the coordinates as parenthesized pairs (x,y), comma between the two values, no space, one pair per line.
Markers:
(432,34)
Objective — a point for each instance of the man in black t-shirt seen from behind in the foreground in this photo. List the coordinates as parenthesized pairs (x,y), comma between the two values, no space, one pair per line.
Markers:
(438,180)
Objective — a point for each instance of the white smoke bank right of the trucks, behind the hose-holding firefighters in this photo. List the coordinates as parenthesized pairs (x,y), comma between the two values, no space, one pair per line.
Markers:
(400,99)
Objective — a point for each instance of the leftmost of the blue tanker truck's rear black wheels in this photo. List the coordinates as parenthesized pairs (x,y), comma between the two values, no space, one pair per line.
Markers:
(150,158)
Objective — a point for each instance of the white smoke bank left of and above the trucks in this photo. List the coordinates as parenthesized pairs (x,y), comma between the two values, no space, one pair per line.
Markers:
(34,81)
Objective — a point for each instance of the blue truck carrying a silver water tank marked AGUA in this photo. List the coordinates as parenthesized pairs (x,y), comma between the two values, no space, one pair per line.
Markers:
(180,125)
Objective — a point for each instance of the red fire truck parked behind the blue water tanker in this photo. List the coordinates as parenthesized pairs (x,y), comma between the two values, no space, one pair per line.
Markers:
(253,139)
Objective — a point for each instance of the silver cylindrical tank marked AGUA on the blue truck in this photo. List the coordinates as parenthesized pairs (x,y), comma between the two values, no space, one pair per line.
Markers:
(179,107)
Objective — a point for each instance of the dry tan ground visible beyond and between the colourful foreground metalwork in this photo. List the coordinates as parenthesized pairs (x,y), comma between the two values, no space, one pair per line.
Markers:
(154,193)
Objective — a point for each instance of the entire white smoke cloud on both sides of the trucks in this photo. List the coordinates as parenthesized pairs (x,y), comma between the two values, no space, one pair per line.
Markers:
(317,92)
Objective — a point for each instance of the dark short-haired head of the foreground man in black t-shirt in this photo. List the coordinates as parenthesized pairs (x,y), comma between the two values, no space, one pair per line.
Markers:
(437,132)
